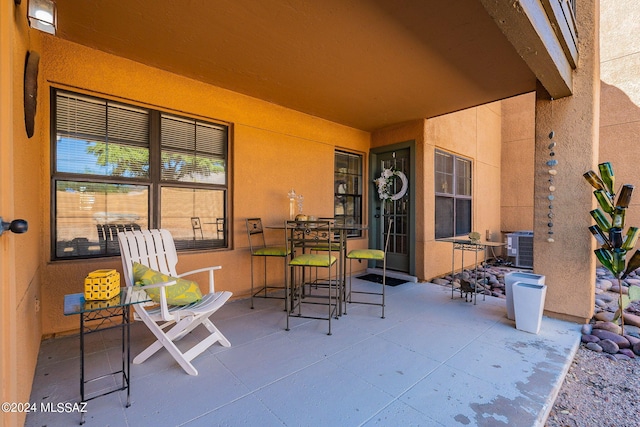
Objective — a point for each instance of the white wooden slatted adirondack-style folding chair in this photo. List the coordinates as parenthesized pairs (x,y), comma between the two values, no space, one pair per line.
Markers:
(156,250)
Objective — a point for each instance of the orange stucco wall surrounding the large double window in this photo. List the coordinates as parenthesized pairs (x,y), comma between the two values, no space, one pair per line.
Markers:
(273,149)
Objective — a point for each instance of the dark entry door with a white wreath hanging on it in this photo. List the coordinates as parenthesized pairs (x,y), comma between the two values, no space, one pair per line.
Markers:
(398,207)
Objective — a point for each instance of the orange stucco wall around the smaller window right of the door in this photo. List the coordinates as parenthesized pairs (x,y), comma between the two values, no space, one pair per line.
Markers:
(474,133)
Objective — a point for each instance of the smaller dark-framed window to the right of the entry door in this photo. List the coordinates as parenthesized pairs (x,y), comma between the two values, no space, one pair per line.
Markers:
(453,181)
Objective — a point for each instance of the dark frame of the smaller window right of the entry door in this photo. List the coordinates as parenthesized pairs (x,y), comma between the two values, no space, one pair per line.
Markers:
(453,196)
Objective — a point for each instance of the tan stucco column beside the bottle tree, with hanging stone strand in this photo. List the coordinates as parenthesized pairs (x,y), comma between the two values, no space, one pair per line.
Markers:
(569,263)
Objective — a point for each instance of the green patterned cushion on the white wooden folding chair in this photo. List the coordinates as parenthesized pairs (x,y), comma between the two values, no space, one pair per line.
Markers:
(184,292)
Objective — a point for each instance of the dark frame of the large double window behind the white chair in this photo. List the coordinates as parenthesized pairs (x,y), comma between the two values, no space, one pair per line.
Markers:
(153,182)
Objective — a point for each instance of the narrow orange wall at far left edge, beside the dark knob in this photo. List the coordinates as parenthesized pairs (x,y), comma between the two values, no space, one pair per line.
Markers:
(20,255)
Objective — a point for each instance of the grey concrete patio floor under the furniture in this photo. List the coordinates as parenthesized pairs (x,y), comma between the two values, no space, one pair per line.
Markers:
(433,361)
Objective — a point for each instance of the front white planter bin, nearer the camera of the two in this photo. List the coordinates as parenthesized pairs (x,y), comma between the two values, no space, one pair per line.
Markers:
(528,303)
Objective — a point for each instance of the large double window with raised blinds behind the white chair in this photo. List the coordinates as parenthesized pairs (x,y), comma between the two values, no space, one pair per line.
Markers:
(120,167)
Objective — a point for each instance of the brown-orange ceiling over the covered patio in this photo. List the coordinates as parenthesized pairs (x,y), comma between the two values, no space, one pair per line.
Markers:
(362,63)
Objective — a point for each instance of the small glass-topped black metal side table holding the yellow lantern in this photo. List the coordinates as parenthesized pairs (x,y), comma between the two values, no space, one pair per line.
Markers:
(99,316)
